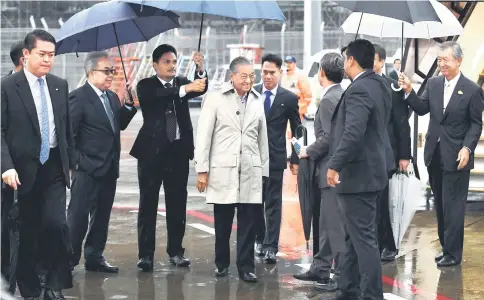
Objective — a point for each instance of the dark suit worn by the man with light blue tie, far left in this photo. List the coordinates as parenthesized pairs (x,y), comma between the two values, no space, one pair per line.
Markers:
(42,193)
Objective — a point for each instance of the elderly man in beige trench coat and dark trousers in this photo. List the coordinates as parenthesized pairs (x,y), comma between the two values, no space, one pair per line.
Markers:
(231,159)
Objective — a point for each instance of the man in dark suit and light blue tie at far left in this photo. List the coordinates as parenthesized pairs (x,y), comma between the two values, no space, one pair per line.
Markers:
(35,108)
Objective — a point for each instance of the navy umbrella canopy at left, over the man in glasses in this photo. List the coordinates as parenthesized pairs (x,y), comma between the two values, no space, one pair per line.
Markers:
(109,24)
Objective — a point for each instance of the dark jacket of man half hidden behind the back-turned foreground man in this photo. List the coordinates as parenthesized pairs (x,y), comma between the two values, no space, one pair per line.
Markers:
(398,127)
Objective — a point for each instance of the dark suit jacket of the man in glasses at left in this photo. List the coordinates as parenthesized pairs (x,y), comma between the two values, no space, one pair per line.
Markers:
(97,146)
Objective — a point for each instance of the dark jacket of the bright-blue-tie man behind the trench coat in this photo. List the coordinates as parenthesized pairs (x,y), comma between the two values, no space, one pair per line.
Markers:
(284,108)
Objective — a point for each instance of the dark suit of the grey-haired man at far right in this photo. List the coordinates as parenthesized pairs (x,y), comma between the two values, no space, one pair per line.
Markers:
(459,126)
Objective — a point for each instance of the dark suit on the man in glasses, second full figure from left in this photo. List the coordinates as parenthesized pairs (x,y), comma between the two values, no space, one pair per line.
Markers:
(97,148)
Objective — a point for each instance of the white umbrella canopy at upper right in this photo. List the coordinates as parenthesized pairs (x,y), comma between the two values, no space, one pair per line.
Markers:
(385,27)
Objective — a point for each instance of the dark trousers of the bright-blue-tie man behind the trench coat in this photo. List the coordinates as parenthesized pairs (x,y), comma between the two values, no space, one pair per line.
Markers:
(268,219)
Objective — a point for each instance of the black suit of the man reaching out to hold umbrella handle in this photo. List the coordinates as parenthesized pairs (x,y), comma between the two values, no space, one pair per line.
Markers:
(160,161)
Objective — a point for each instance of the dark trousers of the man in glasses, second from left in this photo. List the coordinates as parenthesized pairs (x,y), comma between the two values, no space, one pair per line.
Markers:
(90,208)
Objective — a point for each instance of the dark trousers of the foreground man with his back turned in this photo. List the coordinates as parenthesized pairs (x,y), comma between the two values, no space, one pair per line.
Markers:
(360,267)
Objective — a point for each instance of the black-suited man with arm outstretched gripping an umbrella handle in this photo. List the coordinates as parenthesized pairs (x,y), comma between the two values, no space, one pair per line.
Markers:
(163,148)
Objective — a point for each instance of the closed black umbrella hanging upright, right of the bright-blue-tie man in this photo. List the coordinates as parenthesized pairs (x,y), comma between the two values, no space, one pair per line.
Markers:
(305,179)
